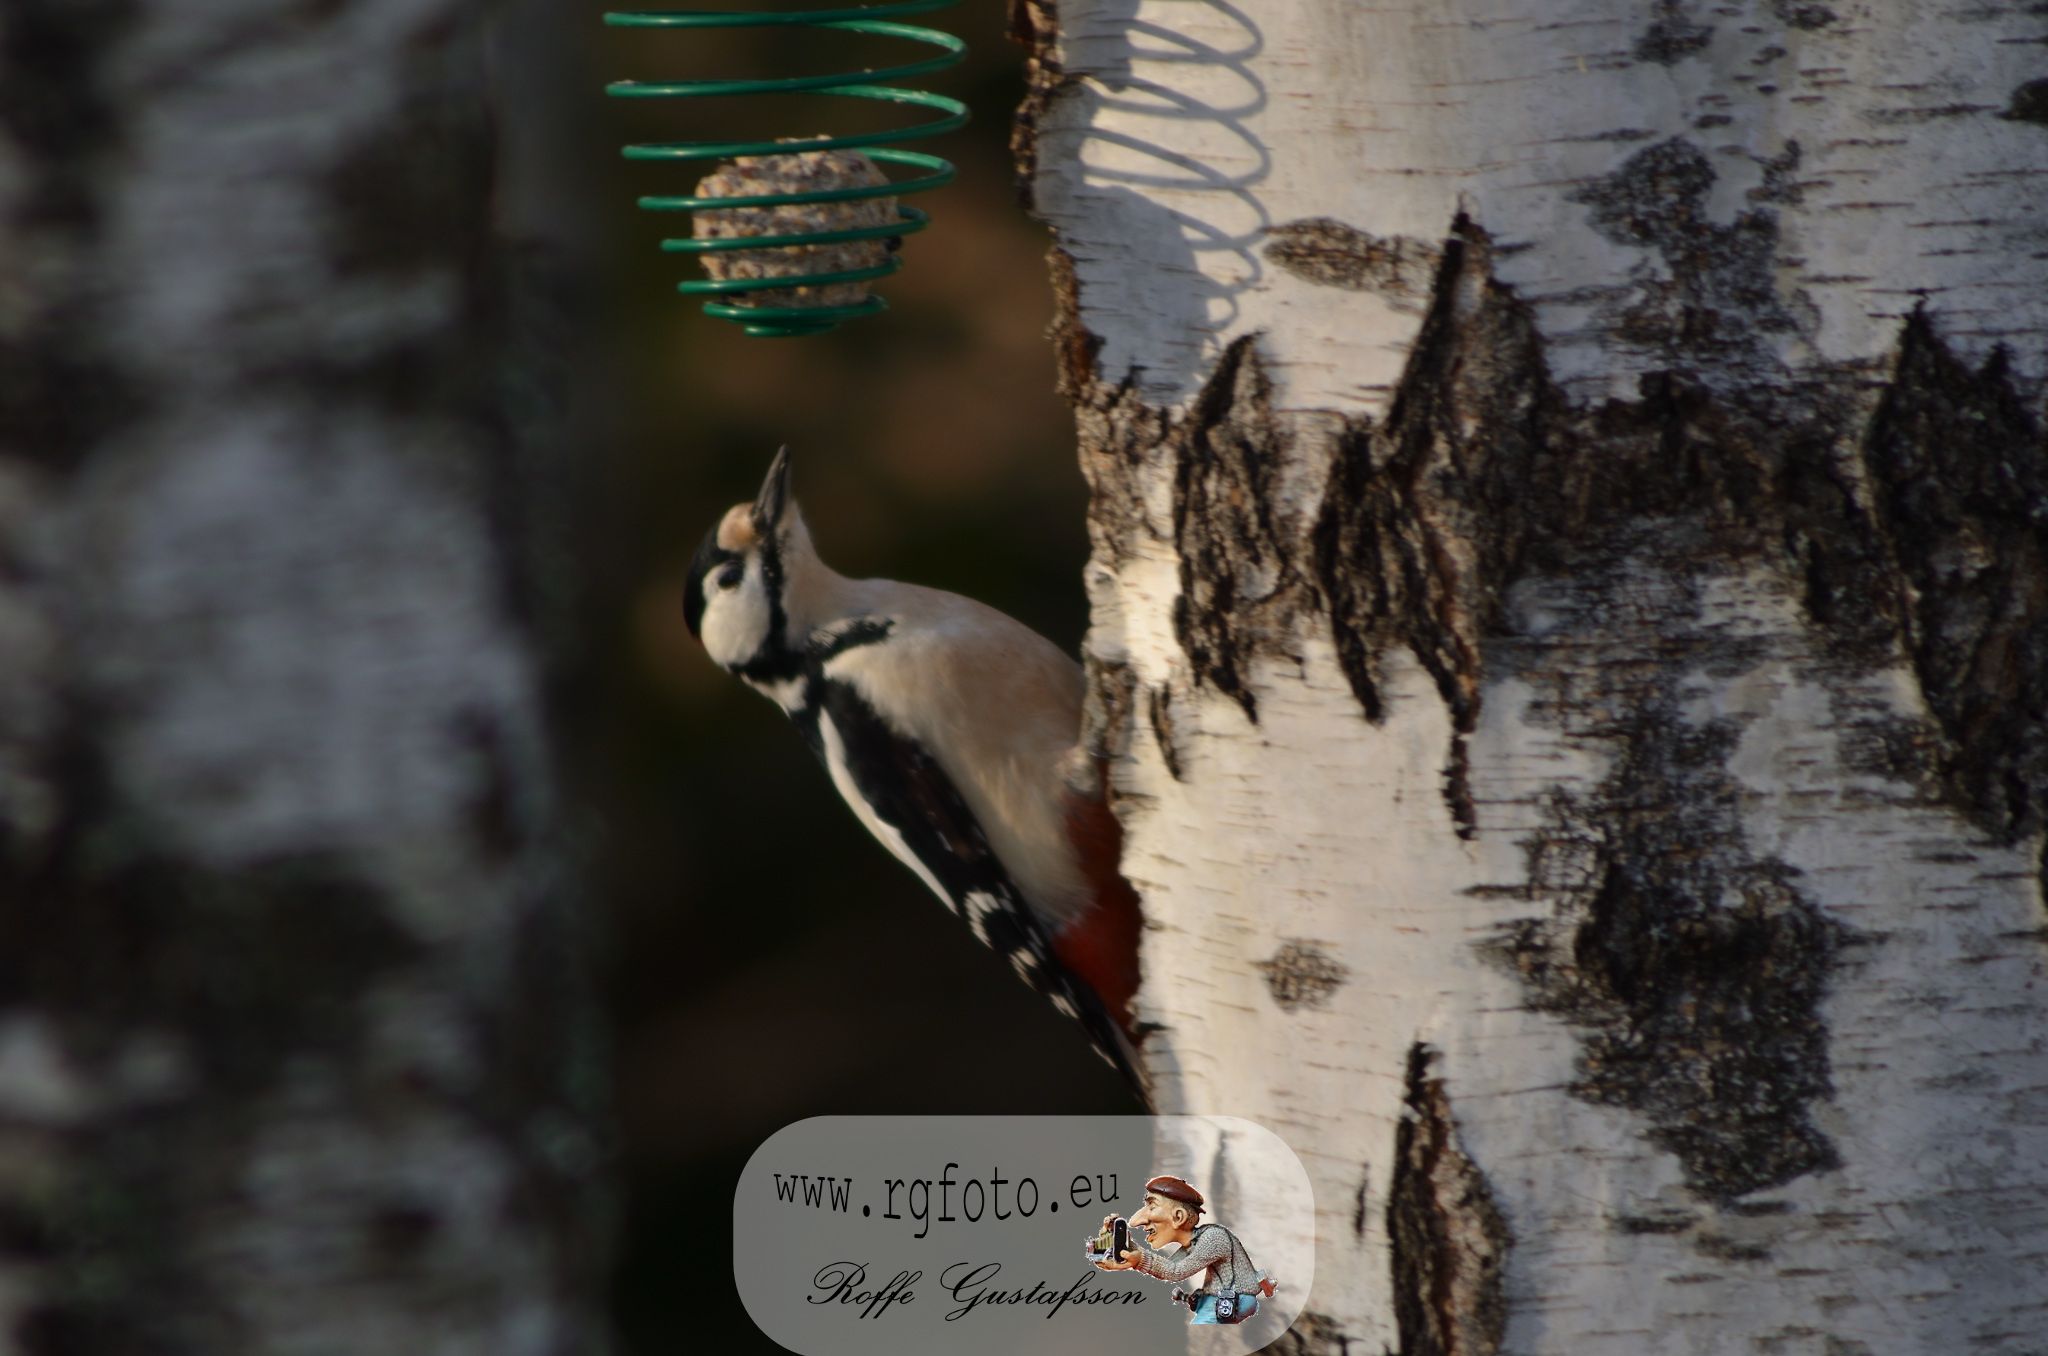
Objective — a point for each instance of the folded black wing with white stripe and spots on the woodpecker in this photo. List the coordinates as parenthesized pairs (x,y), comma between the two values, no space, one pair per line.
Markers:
(908,802)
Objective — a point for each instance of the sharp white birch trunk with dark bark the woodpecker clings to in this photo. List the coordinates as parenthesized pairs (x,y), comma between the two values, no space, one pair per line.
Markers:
(1572,626)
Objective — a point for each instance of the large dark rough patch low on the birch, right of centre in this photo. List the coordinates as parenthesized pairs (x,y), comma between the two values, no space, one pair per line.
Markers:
(1695,968)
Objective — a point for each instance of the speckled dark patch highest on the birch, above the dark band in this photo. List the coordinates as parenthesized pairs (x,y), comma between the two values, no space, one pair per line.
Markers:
(1715,294)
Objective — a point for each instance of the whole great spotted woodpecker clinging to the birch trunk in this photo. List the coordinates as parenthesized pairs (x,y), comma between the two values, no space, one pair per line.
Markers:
(953,732)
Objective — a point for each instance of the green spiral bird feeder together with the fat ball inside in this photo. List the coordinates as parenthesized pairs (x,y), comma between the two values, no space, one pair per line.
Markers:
(792,232)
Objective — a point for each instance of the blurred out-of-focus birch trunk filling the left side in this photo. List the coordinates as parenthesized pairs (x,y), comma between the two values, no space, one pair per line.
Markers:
(296,1052)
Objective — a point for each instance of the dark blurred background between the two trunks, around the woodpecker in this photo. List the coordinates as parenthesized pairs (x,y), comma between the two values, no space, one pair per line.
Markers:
(767,960)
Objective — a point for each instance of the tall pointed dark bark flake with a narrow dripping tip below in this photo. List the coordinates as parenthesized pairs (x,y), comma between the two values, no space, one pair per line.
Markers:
(1426,517)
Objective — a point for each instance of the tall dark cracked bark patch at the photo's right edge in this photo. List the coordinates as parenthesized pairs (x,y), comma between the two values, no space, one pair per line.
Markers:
(1959,474)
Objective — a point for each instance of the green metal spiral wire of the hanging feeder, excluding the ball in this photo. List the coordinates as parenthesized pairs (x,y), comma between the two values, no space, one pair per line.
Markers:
(880,146)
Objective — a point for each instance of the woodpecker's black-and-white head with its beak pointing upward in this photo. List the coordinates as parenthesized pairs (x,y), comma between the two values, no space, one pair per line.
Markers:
(738,593)
